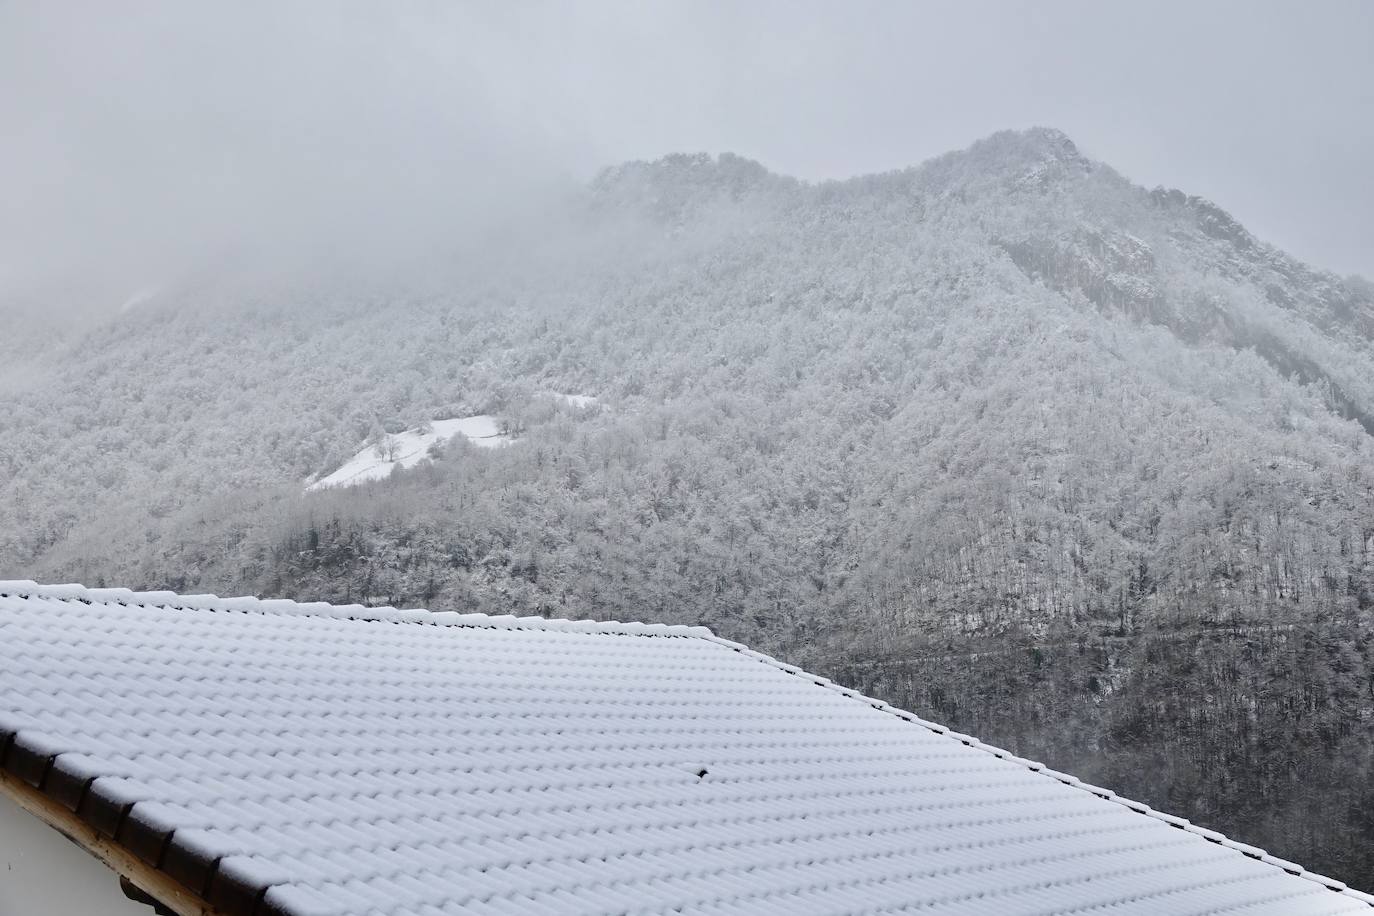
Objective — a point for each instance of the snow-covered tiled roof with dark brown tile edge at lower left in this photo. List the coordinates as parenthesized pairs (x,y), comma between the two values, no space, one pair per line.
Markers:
(308,759)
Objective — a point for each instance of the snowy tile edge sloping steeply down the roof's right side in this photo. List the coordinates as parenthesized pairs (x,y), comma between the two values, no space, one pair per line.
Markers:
(1107,794)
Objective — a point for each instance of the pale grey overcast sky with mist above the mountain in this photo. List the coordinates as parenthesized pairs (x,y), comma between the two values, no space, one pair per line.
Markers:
(142,135)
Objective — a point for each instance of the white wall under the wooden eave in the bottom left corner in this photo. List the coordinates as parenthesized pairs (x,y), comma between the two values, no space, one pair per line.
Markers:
(45,874)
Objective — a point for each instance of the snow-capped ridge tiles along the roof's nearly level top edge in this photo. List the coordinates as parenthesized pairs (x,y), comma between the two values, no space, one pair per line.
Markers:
(288,608)
